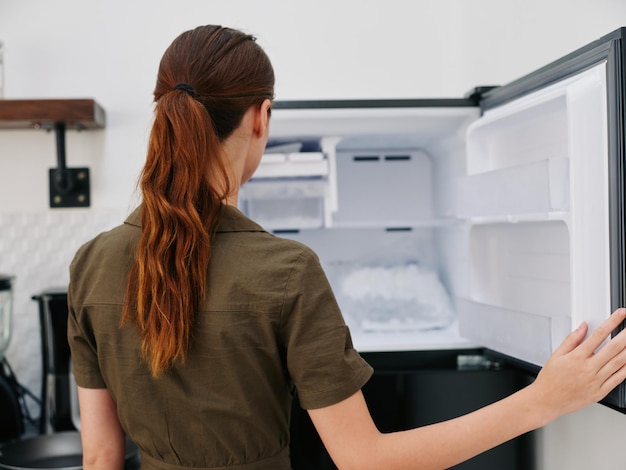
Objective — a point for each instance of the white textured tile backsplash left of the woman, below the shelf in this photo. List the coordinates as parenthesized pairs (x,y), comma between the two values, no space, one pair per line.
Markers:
(37,249)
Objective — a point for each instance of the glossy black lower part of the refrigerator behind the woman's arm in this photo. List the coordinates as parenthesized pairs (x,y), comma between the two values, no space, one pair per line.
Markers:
(411,389)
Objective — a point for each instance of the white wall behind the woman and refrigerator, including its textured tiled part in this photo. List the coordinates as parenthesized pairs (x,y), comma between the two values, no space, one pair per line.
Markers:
(320,49)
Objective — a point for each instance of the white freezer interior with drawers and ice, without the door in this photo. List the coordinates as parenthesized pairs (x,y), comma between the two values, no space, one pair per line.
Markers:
(373,217)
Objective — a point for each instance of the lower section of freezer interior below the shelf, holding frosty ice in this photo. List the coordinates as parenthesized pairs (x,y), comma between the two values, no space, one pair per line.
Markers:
(388,285)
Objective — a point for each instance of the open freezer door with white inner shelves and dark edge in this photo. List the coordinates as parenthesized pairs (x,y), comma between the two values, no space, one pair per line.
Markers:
(543,197)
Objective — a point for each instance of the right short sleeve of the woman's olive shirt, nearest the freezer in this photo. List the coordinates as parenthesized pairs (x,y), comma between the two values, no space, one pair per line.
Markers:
(322,362)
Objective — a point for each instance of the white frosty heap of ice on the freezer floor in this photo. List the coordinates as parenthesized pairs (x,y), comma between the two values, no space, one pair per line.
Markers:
(397,298)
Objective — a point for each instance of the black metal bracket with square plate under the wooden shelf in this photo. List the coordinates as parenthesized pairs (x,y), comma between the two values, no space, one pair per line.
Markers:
(69,187)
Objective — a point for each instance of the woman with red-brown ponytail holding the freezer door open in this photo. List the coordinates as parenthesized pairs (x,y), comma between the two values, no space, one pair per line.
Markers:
(191,327)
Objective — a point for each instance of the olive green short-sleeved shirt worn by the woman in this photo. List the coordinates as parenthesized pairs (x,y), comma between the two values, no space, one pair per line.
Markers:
(269,325)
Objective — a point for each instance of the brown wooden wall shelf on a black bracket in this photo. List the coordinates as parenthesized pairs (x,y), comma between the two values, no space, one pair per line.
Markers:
(45,113)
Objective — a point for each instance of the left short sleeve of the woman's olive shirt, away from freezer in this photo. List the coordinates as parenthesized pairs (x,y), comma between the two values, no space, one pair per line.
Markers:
(83,349)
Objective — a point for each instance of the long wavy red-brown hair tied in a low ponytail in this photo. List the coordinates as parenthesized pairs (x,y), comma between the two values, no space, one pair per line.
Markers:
(208,78)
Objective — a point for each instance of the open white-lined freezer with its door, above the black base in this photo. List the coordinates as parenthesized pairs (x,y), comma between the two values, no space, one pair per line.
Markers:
(493,221)
